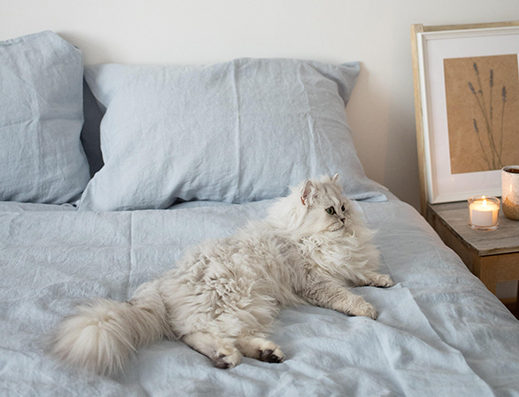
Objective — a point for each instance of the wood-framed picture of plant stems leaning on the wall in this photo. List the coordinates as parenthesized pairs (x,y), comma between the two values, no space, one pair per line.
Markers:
(466,80)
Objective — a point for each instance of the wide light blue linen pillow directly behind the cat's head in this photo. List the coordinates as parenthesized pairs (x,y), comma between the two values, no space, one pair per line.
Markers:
(235,132)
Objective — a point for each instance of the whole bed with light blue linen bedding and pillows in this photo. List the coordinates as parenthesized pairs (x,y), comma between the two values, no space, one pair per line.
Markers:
(440,332)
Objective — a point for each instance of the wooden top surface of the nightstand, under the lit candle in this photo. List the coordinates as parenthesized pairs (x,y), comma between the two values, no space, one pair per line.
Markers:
(455,216)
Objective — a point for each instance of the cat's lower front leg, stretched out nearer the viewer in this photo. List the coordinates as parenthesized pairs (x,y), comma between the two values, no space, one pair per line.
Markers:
(329,293)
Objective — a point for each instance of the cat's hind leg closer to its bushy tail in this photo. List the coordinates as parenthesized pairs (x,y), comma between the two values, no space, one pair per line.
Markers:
(222,352)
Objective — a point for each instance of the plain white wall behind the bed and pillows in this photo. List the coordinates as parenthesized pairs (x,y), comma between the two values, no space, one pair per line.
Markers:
(376,33)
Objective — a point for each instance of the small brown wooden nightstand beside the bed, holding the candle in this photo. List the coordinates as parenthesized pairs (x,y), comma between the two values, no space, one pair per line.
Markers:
(493,256)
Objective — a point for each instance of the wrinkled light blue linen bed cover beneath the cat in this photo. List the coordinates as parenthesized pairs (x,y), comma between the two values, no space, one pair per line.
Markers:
(439,332)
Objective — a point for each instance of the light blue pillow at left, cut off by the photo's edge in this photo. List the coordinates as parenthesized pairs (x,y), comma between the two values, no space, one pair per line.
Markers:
(41,114)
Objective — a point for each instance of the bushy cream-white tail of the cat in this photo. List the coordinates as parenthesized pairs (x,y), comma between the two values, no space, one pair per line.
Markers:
(104,334)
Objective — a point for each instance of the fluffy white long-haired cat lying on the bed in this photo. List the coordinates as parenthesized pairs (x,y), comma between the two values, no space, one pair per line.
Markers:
(225,294)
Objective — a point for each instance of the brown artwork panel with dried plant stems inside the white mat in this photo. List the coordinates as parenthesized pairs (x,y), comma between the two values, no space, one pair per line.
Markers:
(478,89)
